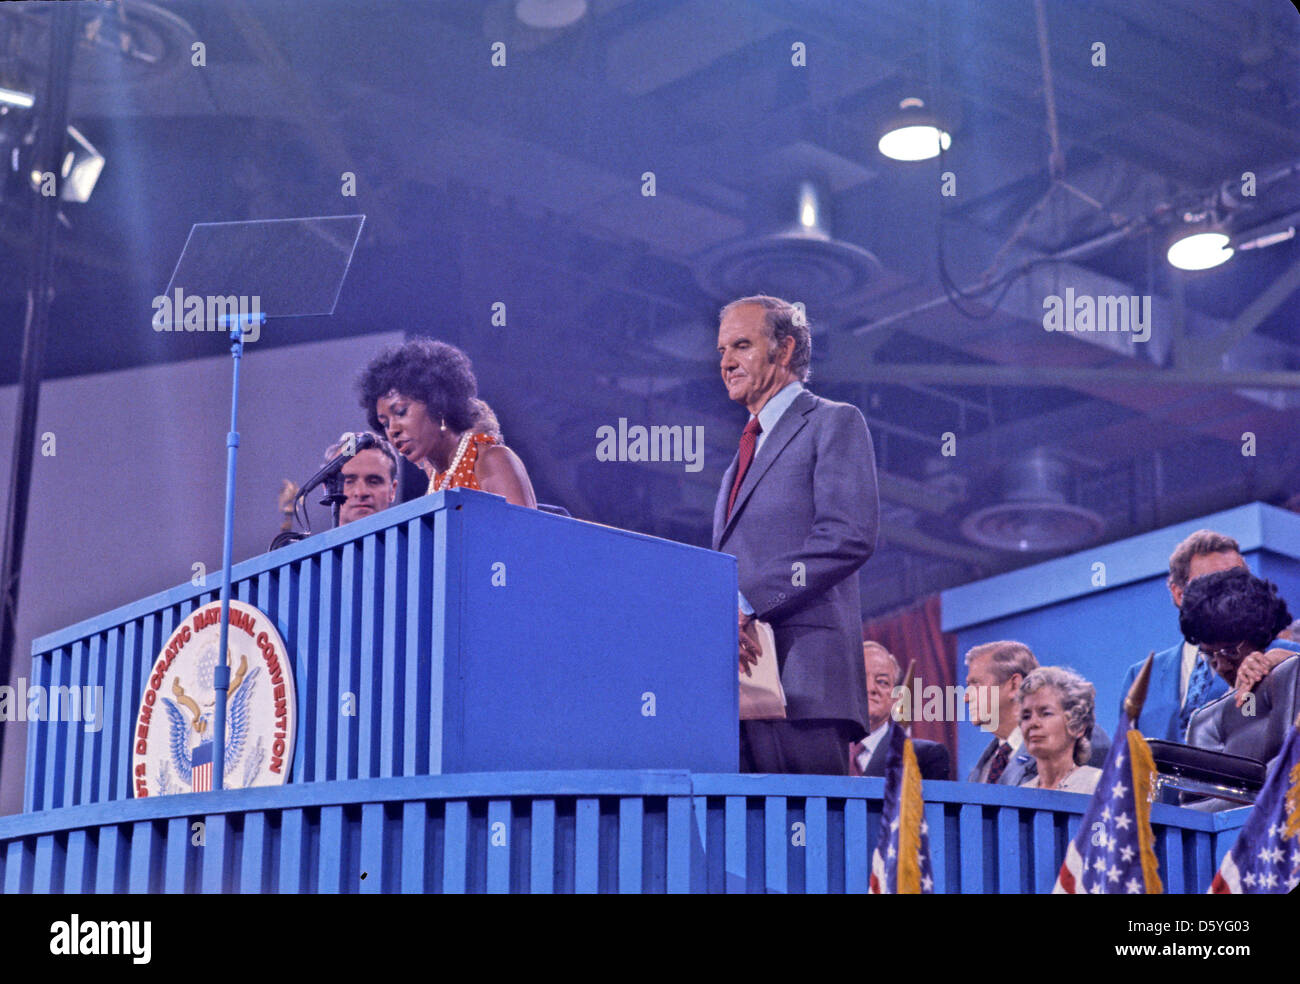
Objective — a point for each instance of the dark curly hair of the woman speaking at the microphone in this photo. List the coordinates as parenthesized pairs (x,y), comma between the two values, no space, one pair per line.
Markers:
(436,374)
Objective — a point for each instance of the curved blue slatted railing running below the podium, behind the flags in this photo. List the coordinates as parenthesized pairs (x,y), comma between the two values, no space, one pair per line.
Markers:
(561,833)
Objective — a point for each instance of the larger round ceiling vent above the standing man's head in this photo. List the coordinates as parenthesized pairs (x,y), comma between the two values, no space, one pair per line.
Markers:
(799,259)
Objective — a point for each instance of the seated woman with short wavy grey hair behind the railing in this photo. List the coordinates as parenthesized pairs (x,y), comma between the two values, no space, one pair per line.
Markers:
(1058,713)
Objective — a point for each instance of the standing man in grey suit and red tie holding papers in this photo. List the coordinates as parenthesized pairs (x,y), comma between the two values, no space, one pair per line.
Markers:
(799,510)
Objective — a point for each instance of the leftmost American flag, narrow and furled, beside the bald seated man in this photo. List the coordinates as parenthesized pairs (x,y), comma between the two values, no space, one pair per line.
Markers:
(900,865)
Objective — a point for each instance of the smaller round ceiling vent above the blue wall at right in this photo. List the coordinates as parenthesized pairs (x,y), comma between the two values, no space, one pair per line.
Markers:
(1035,515)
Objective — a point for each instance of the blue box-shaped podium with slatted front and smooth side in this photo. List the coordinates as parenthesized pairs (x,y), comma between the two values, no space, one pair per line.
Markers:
(452,634)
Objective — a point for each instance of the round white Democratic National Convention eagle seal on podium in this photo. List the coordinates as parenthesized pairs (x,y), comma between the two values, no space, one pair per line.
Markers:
(174,730)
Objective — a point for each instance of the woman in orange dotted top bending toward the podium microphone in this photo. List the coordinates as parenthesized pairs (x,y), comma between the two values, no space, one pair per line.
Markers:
(422,396)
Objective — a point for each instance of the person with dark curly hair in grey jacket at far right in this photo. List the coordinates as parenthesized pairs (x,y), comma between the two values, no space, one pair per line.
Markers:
(1236,618)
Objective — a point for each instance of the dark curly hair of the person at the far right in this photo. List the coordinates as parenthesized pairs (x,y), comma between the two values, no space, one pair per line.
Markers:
(1233,606)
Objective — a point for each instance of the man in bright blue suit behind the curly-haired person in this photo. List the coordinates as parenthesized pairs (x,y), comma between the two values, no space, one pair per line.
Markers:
(1181,682)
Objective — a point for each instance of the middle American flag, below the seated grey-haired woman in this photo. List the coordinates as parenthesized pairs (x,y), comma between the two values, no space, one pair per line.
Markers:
(1113,852)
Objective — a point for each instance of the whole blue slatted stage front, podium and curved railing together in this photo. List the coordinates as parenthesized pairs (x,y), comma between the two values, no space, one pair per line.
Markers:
(499,700)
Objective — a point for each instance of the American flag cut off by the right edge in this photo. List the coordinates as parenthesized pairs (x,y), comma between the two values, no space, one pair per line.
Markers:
(1267,855)
